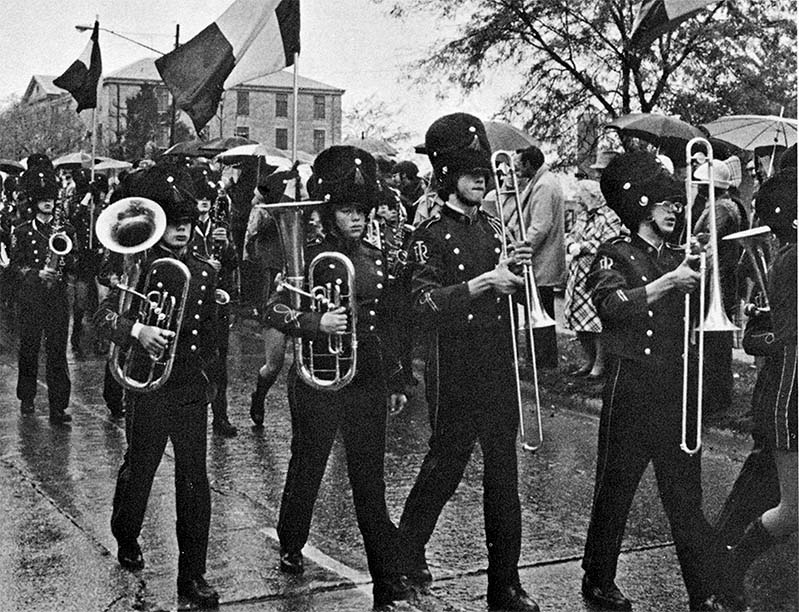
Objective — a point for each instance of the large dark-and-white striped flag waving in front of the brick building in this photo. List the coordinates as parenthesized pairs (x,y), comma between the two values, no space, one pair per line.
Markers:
(250,39)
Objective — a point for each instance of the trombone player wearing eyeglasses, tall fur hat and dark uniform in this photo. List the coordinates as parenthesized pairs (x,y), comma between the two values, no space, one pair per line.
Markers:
(638,284)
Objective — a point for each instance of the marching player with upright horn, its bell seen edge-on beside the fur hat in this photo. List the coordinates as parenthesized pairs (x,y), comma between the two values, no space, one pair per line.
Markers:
(345,179)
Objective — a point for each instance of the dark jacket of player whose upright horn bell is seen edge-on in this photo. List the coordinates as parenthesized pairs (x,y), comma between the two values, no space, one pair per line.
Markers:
(375,359)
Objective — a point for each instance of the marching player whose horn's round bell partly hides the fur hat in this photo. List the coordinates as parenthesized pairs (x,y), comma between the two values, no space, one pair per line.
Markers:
(177,411)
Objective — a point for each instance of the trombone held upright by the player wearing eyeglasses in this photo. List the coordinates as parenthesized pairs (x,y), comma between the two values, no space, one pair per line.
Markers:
(715,320)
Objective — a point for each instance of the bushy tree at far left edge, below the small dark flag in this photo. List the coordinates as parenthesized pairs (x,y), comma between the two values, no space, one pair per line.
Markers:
(53,129)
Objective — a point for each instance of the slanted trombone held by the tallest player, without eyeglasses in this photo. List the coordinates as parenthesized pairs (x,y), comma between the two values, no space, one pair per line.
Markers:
(507,186)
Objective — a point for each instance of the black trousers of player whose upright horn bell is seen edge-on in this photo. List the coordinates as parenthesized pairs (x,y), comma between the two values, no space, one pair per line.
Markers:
(359,410)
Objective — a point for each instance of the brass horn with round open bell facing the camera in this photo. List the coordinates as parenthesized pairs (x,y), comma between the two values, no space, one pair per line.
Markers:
(130,227)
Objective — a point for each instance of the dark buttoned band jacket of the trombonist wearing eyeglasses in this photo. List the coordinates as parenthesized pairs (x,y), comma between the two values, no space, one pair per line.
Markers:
(631,328)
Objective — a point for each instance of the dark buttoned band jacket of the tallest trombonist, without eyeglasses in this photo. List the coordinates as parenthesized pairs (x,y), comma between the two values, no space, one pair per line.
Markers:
(446,251)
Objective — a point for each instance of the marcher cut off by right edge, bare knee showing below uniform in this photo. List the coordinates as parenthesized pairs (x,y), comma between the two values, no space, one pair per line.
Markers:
(776,207)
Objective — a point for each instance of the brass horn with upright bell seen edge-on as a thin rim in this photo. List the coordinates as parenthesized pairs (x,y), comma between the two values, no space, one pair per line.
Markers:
(324,365)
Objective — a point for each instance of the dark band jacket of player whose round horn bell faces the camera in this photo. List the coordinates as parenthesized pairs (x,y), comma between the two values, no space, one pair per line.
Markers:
(196,346)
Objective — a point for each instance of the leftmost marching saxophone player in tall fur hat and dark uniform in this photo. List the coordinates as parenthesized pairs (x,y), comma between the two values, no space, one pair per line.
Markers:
(42,297)
